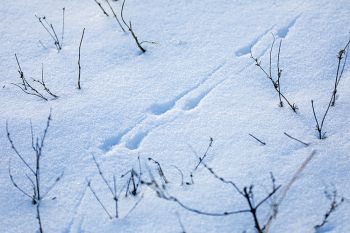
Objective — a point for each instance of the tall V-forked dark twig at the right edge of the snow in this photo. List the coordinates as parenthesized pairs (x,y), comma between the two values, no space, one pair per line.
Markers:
(342,58)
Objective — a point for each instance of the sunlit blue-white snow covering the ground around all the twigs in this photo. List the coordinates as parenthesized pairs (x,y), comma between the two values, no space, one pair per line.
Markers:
(198,81)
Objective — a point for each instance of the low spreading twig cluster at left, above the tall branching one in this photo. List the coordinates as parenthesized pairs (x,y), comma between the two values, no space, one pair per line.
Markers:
(28,87)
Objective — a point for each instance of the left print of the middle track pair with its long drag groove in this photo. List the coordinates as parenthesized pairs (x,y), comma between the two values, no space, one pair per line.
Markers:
(159,109)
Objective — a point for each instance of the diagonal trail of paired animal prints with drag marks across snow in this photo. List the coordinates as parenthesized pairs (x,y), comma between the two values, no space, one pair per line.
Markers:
(163,113)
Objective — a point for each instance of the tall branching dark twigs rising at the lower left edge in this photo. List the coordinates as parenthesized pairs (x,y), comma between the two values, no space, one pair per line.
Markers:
(34,174)
